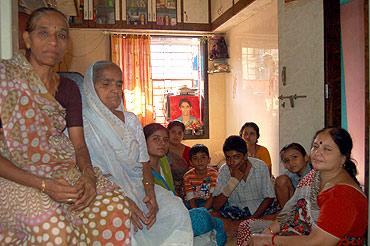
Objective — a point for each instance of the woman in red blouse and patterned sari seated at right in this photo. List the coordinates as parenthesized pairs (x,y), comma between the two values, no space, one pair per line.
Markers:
(334,209)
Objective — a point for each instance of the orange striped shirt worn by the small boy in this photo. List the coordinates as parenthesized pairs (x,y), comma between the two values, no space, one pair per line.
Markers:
(199,187)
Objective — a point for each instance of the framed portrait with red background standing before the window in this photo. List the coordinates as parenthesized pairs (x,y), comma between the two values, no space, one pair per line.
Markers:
(187,109)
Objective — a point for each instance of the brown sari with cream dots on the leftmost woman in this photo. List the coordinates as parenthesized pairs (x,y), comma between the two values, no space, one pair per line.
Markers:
(32,139)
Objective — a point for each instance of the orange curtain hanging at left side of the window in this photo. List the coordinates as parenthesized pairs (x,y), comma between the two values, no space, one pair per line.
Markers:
(132,54)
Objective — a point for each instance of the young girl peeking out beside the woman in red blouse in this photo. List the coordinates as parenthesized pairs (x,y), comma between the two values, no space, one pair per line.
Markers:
(296,161)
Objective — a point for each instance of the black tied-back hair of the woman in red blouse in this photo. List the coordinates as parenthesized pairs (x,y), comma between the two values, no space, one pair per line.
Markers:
(344,142)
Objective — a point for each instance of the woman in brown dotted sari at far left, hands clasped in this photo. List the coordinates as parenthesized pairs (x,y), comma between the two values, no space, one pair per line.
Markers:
(49,192)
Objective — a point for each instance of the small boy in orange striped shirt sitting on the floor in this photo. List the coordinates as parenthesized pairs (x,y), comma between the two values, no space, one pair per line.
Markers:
(200,181)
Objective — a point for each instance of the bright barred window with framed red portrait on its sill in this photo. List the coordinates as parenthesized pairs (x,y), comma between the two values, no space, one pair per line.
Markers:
(180,89)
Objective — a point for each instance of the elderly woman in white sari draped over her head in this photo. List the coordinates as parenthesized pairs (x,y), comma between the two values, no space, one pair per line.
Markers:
(117,145)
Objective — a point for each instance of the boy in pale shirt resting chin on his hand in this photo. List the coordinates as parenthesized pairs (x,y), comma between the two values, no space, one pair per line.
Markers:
(244,188)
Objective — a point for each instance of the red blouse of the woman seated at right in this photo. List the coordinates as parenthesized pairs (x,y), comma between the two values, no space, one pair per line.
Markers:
(343,212)
